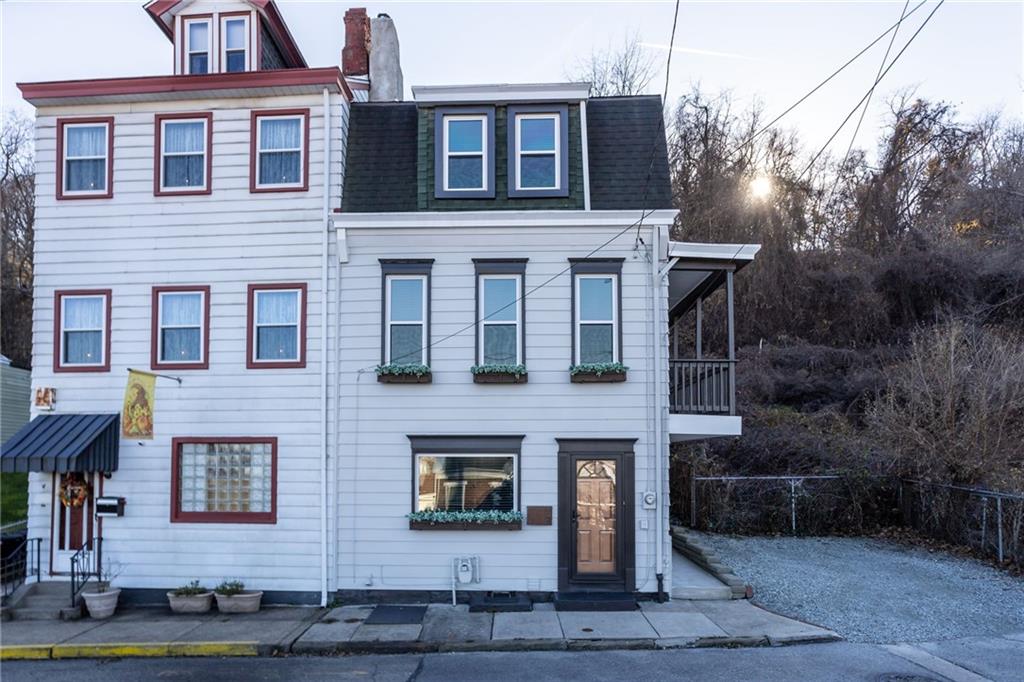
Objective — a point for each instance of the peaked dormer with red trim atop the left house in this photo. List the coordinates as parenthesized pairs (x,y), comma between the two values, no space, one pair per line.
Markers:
(219,37)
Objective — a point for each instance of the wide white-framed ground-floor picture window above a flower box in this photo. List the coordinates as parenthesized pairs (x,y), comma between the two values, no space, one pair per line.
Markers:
(467,483)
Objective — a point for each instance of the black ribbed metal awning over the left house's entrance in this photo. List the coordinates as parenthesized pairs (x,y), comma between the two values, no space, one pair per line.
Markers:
(64,443)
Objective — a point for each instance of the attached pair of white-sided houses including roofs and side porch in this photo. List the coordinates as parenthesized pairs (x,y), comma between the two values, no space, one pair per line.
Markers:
(404,348)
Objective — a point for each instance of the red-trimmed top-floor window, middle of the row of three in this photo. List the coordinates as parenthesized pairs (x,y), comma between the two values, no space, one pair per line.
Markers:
(183,152)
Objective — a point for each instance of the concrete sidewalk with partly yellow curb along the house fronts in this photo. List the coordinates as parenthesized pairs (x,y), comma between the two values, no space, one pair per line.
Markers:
(274,631)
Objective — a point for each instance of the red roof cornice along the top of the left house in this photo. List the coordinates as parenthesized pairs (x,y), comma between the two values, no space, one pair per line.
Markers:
(164,89)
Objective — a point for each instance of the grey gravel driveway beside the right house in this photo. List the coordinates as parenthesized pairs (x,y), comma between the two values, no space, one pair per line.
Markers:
(875,591)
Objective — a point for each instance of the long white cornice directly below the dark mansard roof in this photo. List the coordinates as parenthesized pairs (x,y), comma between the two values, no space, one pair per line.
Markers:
(429,220)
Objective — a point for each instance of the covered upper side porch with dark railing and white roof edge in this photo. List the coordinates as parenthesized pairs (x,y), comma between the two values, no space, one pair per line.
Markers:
(703,376)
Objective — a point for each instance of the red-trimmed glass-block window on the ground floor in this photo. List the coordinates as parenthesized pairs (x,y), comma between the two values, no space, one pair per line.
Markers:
(225,481)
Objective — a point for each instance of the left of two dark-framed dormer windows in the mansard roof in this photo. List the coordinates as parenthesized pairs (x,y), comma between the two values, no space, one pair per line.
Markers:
(465,153)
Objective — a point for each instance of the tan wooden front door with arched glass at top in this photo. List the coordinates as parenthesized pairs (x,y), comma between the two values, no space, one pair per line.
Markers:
(596,518)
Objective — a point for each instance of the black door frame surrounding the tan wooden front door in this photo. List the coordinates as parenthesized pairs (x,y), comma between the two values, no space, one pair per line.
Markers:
(621,450)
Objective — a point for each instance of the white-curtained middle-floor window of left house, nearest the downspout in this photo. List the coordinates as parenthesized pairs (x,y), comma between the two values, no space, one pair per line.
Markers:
(277,321)
